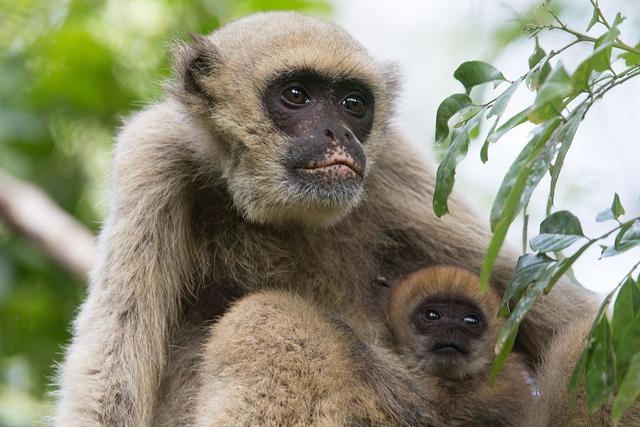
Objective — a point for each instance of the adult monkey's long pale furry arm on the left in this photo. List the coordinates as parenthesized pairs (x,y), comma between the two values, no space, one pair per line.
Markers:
(115,361)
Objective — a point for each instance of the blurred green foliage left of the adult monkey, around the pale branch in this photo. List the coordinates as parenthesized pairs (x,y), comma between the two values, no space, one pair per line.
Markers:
(69,72)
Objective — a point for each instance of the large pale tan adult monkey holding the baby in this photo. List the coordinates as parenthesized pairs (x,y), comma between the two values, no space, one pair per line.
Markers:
(271,164)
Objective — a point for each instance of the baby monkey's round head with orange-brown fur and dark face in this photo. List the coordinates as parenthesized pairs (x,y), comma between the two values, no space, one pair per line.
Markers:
(442,322)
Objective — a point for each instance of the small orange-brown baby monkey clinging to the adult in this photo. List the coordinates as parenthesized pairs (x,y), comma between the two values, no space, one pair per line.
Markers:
(447,329)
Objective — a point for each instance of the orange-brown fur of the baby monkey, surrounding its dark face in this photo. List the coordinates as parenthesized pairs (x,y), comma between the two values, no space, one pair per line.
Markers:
(471,399)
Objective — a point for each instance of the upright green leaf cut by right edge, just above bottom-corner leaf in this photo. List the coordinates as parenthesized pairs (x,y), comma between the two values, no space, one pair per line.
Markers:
(625,325)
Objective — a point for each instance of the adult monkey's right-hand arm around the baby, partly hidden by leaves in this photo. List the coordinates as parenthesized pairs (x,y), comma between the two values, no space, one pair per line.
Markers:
(459,239)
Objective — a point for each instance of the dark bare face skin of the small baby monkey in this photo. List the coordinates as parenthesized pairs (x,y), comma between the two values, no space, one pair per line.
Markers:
(446,332)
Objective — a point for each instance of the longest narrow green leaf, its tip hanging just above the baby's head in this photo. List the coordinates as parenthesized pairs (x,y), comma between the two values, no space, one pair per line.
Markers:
(518,184)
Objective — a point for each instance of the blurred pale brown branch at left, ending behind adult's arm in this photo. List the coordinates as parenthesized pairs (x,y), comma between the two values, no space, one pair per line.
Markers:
(31,213)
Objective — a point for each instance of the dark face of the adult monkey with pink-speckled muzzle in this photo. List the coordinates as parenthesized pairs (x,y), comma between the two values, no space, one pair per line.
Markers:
(327,123)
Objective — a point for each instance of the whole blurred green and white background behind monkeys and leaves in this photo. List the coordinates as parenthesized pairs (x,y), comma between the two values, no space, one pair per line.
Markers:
(71,70)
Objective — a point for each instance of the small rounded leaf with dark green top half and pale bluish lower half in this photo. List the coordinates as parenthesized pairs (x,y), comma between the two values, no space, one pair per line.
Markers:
(557,231)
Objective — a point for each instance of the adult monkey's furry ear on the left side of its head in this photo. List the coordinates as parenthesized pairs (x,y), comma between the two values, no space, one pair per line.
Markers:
(194,61)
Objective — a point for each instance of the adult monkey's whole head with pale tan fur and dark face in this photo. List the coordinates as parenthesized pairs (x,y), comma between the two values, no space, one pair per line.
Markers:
(299,112)
